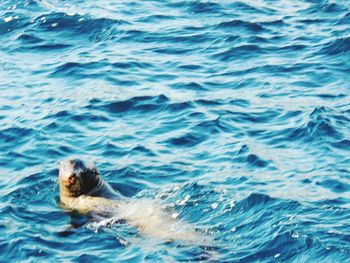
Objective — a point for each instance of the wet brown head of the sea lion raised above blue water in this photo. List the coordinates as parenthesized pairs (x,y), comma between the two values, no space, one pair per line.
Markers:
(77,178)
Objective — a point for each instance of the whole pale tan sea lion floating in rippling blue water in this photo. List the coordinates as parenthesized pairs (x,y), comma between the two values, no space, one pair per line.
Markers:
(82,189)
